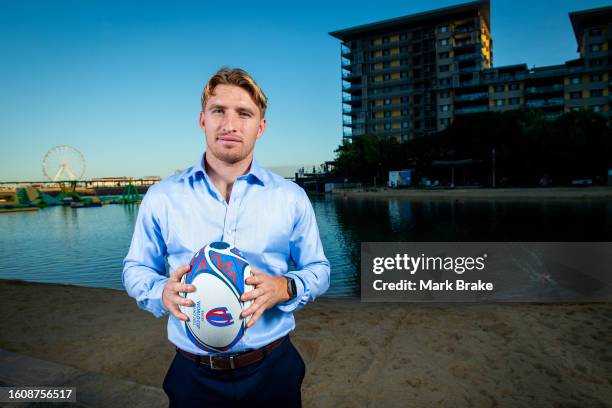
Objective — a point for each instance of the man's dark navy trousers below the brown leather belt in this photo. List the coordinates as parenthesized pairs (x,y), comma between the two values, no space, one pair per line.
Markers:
(275,381)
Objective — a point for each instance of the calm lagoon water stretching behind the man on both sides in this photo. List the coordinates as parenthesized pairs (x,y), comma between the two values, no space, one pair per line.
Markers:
(87,246)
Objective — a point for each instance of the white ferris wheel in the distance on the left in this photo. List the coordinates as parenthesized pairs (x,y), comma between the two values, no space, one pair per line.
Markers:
(63,163)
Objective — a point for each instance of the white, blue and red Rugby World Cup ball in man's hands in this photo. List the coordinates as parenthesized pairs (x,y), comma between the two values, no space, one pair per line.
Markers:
(218,272)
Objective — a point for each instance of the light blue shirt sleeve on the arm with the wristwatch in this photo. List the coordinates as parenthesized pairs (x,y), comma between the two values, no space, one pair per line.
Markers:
(312,274)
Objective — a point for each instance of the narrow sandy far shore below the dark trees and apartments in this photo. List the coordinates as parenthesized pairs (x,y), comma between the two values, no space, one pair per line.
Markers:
(480,193)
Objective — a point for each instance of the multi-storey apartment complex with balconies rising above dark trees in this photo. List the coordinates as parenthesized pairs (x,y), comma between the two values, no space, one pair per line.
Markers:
(411,76)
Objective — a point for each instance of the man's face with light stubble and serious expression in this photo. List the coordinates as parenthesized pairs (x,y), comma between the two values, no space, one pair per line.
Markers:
(232,123)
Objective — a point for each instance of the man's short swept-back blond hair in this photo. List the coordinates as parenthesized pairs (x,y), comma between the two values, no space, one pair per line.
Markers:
(236,77)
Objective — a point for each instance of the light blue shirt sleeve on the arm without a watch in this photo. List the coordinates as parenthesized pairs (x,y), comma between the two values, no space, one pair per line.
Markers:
(144,268)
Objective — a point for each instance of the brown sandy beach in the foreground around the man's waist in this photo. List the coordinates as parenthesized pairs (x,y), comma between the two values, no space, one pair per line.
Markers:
(357,354)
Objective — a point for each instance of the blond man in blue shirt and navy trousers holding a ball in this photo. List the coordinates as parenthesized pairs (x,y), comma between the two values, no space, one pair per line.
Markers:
(227,196)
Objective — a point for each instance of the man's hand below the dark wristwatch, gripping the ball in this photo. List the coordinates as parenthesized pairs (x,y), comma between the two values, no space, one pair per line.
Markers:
(269,290)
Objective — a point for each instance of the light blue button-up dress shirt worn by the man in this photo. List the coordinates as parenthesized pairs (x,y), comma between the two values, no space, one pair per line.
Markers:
(268,218)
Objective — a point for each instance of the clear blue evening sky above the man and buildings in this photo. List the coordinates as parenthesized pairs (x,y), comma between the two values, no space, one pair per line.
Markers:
(121,80)
